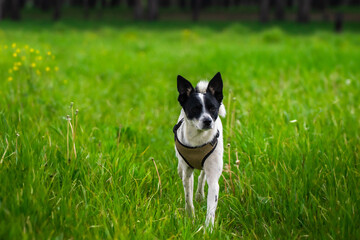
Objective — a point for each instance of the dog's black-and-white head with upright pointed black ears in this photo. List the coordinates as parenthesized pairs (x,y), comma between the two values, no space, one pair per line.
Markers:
(201,105)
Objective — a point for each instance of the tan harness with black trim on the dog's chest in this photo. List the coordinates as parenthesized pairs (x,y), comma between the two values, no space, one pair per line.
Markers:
(195,157)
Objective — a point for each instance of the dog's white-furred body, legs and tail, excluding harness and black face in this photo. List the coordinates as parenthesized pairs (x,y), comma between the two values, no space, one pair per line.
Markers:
(189,134)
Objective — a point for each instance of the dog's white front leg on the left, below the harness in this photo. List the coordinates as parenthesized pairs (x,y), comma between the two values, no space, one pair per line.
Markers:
(188,182)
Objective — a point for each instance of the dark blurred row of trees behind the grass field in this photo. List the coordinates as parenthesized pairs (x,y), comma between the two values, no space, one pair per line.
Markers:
(263,10)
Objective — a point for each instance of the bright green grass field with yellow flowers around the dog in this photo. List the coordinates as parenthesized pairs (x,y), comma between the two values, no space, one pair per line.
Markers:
(292,94)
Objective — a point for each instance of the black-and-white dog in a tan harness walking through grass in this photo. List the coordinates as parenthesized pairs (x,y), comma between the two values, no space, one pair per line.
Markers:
(199,141)
